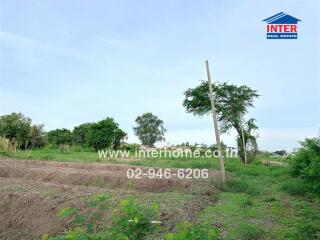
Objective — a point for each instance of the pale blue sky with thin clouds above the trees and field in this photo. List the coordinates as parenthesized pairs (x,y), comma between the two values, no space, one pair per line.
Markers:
(64,63)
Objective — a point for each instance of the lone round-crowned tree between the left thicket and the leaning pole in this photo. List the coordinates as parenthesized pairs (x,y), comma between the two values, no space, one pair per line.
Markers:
(149,129)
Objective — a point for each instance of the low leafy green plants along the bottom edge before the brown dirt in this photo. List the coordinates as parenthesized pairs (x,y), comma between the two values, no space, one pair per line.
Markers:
(129,221)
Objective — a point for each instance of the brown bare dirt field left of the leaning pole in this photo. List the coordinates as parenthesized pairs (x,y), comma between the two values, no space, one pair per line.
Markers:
(32,192)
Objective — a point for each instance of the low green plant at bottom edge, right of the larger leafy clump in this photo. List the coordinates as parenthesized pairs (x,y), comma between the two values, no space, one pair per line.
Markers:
(189,231)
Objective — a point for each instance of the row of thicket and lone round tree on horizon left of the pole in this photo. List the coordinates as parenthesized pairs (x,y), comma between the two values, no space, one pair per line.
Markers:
(23,134)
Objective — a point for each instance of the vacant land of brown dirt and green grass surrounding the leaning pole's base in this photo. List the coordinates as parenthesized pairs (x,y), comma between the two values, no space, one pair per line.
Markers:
(253,205)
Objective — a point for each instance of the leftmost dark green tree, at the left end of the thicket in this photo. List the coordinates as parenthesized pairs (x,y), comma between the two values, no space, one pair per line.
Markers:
(16,128)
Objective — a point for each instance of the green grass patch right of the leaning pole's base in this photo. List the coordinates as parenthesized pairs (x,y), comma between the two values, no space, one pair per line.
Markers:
(256,205)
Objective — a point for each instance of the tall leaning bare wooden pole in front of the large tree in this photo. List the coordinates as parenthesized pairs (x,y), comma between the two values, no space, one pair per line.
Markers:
(215,123)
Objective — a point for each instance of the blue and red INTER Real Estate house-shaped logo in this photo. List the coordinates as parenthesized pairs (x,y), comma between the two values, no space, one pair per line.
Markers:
(282,26)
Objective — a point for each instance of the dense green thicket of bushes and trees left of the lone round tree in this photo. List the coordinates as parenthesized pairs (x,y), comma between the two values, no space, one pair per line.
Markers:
(20,132)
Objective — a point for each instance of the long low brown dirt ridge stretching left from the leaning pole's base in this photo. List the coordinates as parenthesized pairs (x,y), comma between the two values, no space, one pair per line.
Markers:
(110,176)
